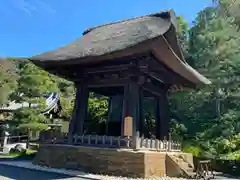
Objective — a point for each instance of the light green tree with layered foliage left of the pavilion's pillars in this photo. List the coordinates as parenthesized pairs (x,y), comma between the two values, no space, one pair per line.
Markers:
(33,84)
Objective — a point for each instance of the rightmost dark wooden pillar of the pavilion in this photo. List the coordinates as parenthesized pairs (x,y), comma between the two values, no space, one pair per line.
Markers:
(162,117)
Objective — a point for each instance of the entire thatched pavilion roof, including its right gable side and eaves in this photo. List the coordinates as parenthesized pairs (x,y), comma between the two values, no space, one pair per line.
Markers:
(155,33)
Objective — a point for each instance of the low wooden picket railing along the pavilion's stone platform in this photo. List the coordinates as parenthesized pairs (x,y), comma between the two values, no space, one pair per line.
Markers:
(138,143)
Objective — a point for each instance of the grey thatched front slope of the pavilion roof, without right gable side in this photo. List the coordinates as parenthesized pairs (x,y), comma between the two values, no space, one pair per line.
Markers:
(111,37)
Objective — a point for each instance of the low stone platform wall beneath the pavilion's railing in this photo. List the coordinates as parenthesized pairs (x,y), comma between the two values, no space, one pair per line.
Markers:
(102,161)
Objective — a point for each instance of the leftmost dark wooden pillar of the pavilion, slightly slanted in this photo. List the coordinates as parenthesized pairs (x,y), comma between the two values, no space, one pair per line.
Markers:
(79,112)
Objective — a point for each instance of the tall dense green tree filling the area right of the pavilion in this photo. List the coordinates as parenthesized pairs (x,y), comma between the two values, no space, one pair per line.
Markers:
(211,115)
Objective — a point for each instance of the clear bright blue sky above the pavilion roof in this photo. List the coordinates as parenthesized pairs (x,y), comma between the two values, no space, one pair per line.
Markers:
(30,27)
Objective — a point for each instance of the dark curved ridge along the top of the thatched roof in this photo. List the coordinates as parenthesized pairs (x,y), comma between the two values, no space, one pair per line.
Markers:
(162,14)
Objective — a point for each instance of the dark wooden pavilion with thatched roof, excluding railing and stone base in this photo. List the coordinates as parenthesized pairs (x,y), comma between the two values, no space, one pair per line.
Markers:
(126,61)
